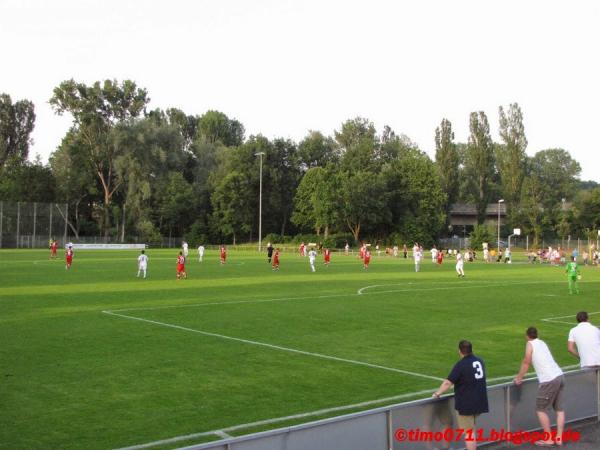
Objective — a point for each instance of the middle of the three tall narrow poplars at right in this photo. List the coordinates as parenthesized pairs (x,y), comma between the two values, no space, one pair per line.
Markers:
(480,161)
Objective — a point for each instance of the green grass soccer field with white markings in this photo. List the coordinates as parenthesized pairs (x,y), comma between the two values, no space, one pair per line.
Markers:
(97,358)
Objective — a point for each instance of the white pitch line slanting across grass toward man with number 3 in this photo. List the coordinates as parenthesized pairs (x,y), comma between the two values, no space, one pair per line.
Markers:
(277,347)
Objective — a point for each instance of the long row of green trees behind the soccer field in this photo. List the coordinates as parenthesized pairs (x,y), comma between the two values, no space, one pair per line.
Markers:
(128,171)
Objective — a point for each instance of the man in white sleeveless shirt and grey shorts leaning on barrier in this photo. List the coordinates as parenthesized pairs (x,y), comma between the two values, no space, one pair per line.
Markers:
(550,391)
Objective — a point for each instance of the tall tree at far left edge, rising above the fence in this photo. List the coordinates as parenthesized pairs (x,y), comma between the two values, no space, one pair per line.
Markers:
(16,124)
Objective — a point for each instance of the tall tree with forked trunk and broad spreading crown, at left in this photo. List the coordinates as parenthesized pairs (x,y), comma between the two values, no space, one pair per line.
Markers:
(96,110)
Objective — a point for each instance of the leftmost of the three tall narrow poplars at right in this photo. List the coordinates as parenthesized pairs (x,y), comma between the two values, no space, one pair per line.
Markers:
(448,160)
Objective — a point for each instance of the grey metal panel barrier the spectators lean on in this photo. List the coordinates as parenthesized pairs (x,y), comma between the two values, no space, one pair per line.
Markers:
(512,408)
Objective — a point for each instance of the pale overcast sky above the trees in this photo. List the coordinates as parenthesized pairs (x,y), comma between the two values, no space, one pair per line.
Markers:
(285,67)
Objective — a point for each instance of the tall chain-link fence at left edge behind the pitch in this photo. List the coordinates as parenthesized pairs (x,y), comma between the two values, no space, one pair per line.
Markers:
(32,225)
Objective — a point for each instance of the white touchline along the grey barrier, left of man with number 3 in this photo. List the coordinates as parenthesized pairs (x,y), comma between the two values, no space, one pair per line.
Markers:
(276,420)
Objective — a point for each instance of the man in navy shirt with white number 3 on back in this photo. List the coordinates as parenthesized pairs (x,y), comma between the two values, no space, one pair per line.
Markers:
(470,399)
